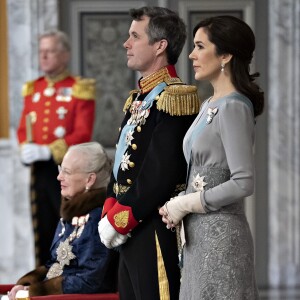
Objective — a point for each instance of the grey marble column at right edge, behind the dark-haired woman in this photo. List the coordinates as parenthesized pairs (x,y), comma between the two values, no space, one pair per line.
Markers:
(284,143)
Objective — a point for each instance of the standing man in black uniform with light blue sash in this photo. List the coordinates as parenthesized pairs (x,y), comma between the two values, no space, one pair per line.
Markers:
(149,164)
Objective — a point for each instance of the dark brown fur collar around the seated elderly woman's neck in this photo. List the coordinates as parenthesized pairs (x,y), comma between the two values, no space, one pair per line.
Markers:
(82,204)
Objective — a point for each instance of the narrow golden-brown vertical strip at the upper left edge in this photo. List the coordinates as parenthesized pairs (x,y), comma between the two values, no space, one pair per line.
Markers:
(4,103)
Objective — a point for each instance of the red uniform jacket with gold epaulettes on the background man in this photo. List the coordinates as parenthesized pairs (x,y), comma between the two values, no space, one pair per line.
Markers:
(61,112)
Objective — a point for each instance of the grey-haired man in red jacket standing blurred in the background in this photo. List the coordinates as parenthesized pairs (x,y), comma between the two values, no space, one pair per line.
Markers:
(58,112)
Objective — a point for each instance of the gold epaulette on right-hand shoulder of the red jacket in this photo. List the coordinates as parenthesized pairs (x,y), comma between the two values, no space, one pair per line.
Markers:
(84,88)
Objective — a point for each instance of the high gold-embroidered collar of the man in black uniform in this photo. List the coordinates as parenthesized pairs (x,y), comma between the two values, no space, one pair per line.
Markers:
(146,84)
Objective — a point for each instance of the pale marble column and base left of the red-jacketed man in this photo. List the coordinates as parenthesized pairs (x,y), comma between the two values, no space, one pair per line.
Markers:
(26,21)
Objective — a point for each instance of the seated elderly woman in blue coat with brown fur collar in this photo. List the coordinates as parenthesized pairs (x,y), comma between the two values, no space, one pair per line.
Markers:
(79,263)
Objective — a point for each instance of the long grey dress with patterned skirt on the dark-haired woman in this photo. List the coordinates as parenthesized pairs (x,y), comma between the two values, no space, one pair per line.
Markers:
(218,257)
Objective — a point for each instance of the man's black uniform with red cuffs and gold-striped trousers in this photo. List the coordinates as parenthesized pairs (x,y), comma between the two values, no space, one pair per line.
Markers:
(151,171)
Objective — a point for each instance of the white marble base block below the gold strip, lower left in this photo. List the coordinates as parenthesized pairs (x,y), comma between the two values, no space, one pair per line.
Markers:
(16,255)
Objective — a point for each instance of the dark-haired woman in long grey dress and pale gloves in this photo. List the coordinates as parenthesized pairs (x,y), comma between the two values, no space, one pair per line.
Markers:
(218,258)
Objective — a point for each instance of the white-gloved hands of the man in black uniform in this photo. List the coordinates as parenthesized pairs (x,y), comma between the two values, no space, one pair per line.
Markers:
(109,236)
